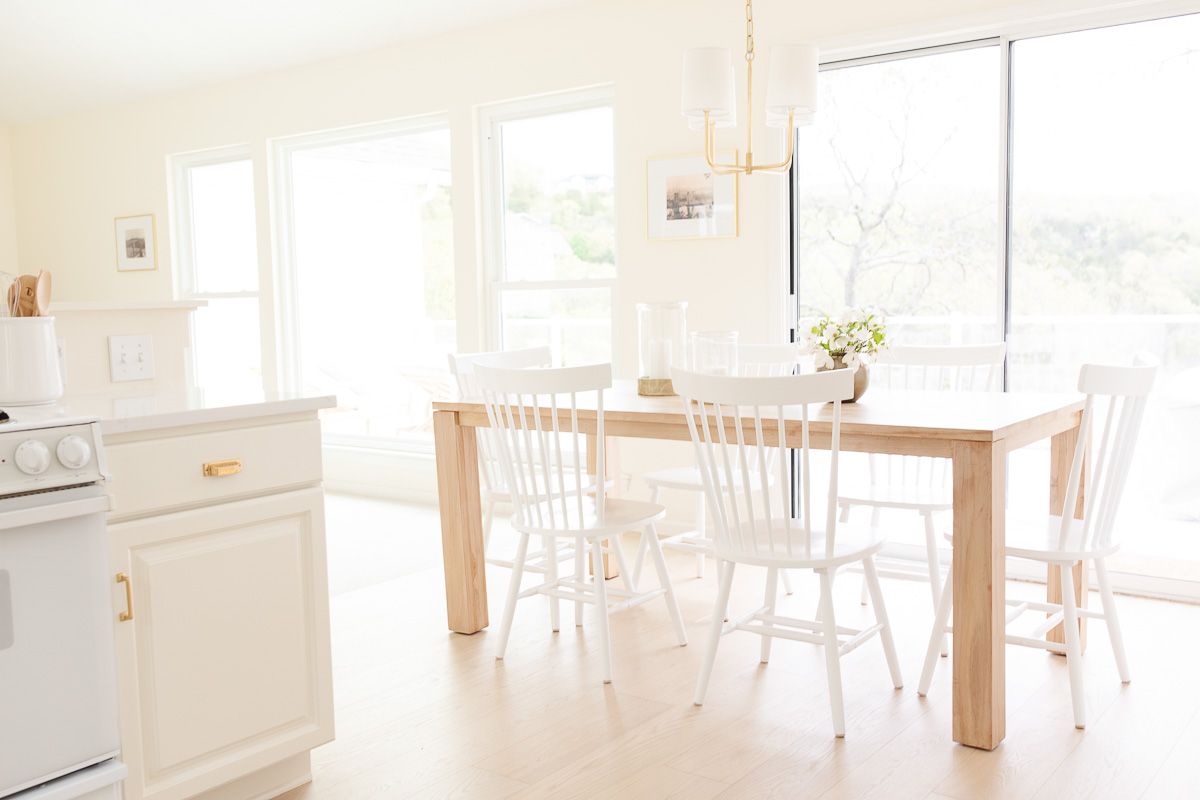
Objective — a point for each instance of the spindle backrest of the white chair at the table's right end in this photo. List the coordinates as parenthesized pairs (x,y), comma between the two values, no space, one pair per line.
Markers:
(1124,392)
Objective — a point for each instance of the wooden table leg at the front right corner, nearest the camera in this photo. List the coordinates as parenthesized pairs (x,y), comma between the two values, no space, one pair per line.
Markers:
(979,594)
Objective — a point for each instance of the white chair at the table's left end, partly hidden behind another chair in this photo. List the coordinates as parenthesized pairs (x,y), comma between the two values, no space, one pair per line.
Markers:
(495,491)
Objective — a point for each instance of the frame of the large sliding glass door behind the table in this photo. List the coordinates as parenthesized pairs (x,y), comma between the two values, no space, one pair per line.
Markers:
(1005,37)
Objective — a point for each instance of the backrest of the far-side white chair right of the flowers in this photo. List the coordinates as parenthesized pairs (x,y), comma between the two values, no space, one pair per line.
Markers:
(932,368)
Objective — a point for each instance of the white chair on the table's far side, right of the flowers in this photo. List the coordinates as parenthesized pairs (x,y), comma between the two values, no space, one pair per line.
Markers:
(921,484)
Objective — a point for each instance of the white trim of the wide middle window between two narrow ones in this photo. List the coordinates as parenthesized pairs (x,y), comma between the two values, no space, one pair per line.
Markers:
(281,152)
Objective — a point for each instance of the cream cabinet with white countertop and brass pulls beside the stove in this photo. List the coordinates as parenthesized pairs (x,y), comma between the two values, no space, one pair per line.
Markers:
(220,592)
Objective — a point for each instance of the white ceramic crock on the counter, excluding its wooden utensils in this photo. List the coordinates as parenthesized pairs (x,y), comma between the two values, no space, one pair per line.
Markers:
(29,362)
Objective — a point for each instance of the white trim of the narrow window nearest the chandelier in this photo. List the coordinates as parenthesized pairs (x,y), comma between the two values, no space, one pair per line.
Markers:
(491,201)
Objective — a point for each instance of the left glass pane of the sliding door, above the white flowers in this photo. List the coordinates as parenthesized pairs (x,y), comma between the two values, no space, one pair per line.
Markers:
(897,196)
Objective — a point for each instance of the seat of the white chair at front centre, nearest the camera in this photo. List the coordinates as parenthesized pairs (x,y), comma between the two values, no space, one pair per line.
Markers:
(851,544)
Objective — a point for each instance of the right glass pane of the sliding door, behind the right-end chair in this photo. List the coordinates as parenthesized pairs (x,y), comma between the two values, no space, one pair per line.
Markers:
(1106,239)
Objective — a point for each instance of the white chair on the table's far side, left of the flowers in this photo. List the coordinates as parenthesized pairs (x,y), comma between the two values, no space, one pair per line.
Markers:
(754,360)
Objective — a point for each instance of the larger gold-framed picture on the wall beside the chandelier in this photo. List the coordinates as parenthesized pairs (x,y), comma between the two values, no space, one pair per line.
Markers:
(686,200)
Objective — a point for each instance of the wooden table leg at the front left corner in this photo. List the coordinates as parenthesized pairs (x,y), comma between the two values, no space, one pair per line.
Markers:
(463,530)
